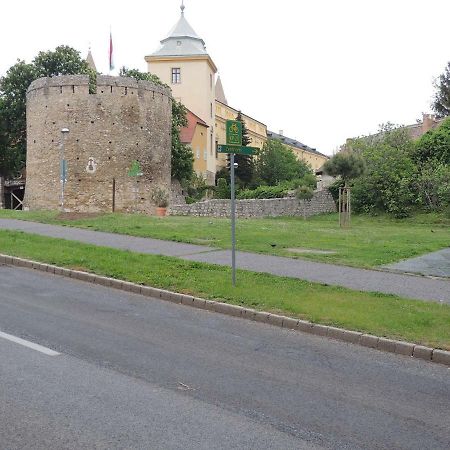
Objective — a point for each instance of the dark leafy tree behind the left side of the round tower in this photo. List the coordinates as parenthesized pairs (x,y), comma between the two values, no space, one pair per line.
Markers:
(13,87)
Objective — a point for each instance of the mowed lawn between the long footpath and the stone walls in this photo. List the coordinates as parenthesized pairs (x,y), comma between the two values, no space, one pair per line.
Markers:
(369,242)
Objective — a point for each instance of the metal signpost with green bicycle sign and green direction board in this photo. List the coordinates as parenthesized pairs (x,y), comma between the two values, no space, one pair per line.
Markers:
(234,146)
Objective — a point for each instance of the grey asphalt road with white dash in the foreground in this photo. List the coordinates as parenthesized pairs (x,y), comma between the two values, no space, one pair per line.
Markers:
(141,373)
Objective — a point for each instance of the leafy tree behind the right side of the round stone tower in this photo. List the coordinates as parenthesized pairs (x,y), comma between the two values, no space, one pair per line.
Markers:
(182,157)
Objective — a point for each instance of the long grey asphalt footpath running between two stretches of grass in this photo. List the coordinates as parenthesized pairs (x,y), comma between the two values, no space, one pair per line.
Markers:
(409,286)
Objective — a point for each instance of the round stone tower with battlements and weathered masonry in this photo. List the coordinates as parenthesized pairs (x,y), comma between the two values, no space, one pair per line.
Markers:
(125,121)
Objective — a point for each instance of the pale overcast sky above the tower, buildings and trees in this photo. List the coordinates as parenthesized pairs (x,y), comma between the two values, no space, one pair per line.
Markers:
(321,70)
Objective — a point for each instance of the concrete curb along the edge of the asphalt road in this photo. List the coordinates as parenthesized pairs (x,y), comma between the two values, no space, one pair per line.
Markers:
(353,337)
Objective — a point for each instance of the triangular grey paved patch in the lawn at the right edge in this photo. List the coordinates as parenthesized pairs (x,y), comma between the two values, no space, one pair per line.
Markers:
(433,264)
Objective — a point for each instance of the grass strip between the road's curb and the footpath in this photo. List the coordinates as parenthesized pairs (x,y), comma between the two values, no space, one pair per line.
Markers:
(384,315)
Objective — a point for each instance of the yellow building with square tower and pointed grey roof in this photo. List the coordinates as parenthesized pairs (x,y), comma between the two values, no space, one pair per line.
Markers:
(183,63)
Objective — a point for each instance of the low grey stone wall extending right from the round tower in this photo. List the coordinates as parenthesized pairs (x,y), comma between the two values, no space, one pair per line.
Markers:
(322,202)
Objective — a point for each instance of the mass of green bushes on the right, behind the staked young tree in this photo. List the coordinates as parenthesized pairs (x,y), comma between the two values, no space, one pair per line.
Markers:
(401,174)
